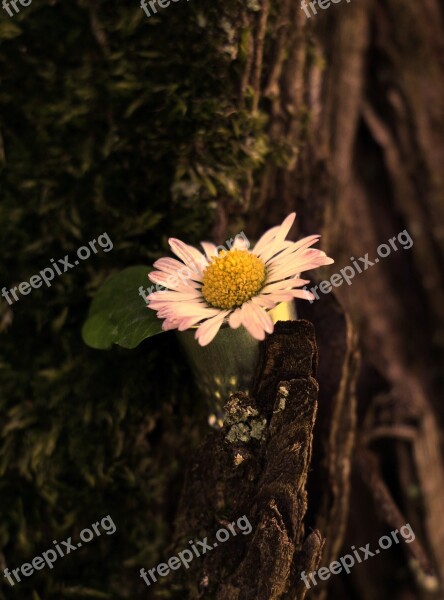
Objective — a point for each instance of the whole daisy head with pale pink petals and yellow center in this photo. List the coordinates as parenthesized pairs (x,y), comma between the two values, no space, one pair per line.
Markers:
(236,286)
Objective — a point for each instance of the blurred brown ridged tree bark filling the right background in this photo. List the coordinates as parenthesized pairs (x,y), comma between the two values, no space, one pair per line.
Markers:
(356,92)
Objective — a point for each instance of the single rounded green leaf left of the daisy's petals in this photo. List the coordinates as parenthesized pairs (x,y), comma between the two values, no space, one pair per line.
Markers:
(118,314)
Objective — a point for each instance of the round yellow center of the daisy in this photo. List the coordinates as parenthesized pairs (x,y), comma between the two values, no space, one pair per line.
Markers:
(232,278)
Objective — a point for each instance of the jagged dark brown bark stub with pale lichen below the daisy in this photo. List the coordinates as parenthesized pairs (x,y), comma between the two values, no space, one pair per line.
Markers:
(257,466)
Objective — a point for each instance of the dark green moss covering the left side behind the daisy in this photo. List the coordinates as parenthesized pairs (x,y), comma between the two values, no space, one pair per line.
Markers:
(109,122)
